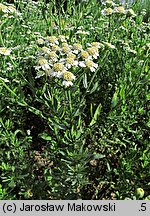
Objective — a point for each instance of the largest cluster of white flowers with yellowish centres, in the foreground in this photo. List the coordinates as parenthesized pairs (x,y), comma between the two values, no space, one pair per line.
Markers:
(57,58)
